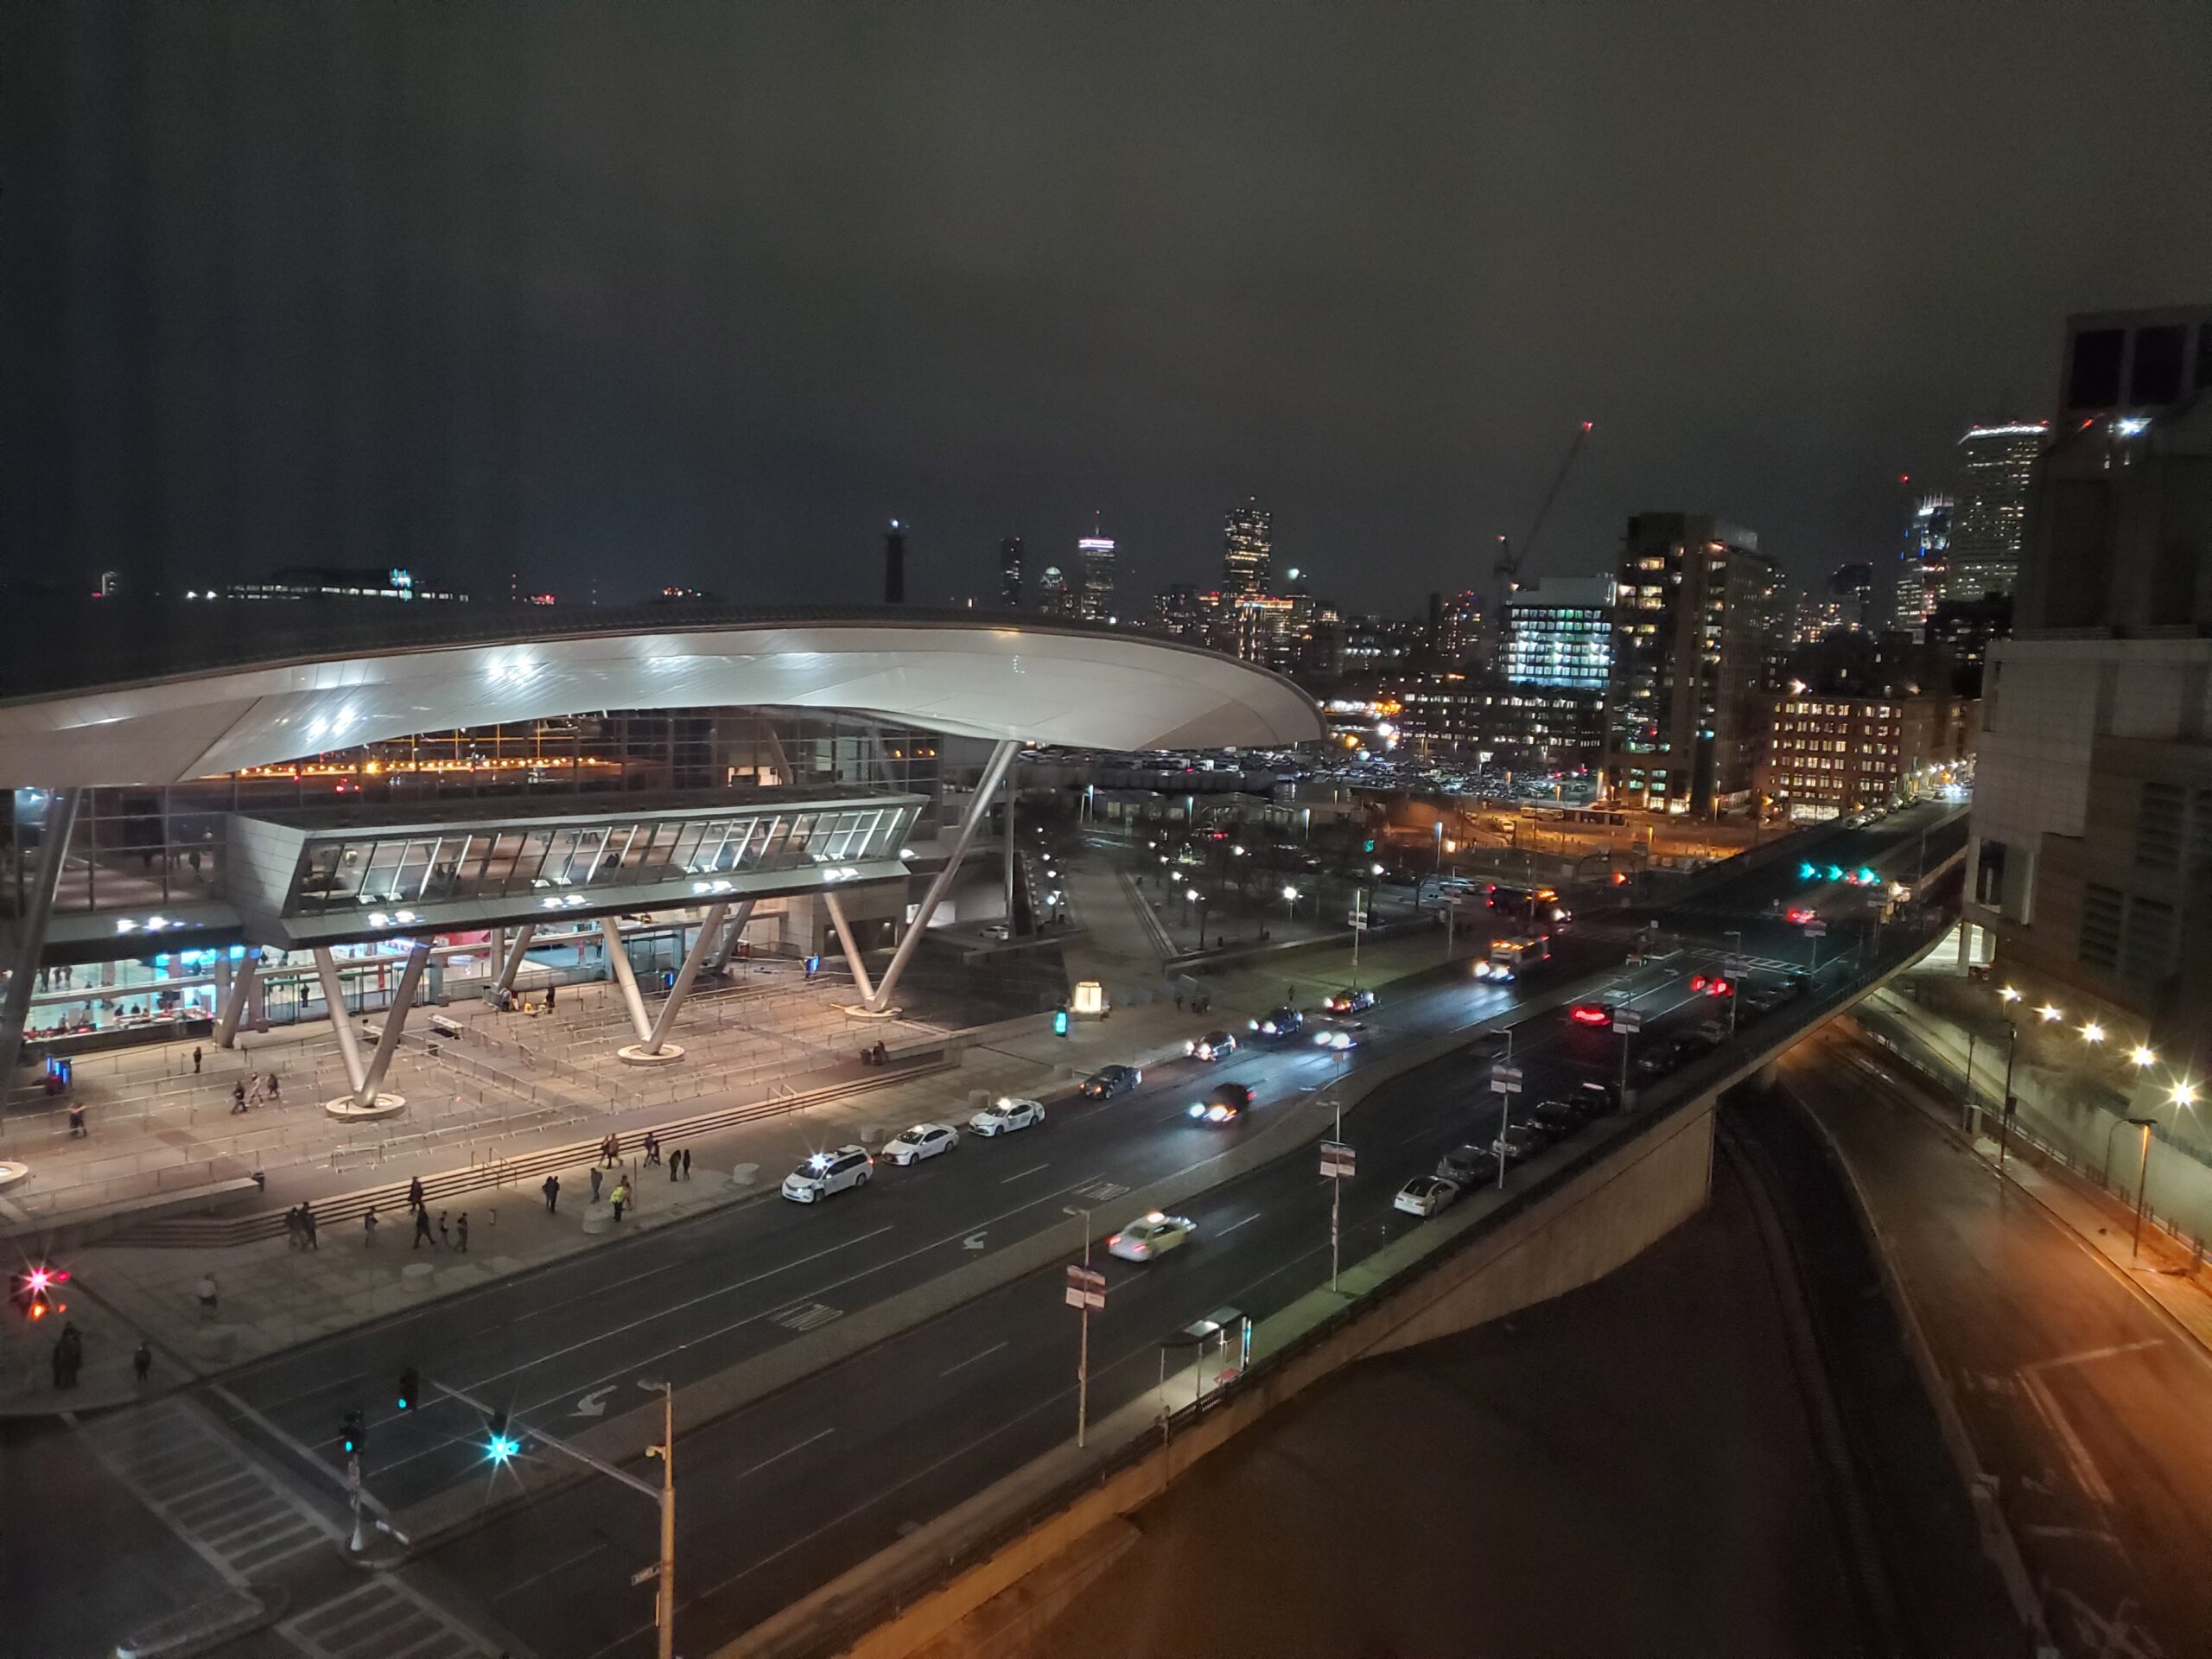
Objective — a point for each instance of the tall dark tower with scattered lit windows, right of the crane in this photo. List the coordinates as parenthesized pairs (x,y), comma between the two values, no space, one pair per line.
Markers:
(1691,640)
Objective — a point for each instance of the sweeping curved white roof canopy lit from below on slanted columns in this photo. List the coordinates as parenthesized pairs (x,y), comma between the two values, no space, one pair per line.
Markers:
(1036,685)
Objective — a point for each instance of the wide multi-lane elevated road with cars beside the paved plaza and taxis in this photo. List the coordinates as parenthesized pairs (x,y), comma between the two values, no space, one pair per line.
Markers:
(791,1490)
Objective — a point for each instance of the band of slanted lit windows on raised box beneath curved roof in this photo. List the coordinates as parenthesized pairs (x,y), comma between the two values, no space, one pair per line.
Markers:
(395,868)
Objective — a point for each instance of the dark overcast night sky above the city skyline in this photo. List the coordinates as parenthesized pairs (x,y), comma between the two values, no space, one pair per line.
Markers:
(645,293)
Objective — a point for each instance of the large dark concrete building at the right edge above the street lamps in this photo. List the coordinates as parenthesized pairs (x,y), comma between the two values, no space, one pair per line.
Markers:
(2091,848)
